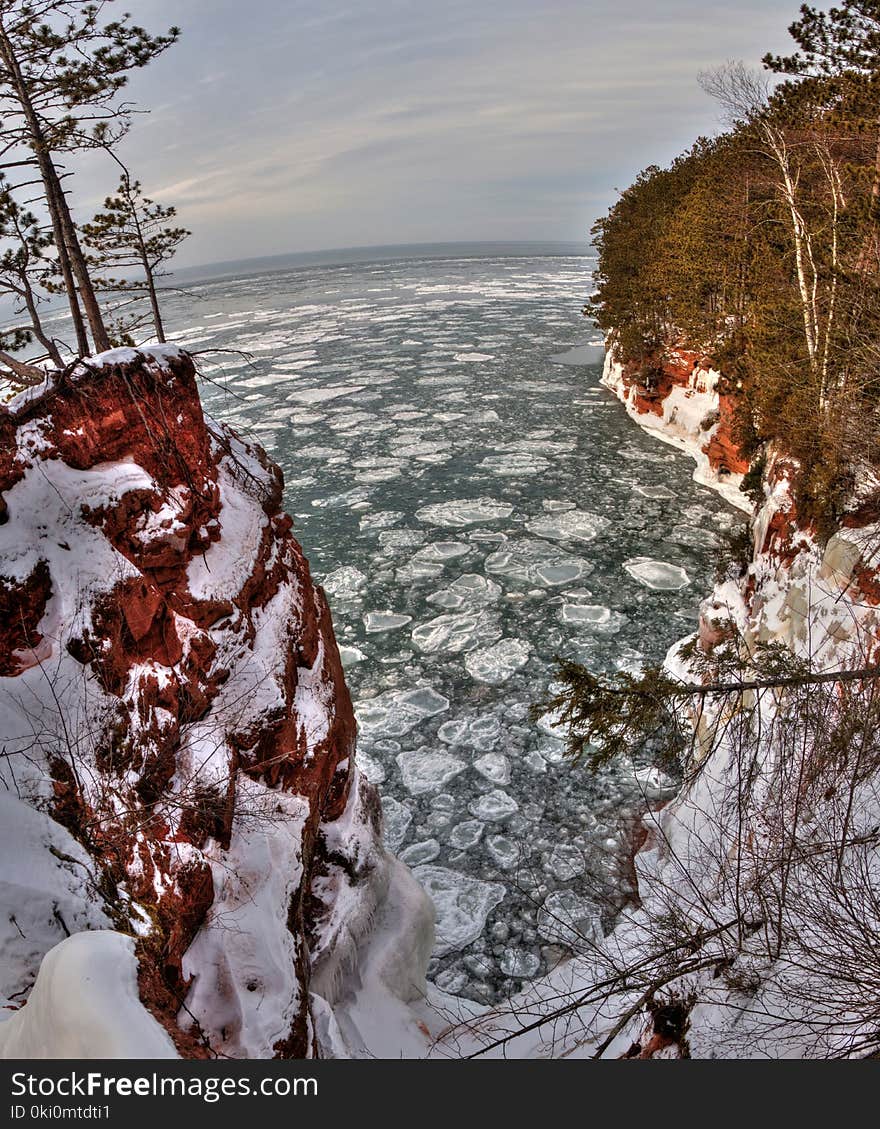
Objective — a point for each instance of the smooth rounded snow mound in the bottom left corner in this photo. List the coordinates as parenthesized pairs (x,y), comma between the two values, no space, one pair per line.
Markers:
(85,1005)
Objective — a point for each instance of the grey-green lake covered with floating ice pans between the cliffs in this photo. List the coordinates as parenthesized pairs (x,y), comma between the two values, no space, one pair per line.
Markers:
(476,505)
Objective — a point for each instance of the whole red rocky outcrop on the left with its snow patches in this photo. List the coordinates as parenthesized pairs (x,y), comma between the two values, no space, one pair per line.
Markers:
(172,697)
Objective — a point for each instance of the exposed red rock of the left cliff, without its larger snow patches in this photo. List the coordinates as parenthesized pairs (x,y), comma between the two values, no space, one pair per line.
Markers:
(160,657)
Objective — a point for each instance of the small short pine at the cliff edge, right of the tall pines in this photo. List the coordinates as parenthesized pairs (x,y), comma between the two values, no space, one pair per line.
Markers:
(134,232)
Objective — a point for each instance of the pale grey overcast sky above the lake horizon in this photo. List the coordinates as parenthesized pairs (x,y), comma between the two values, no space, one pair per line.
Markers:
(284,126)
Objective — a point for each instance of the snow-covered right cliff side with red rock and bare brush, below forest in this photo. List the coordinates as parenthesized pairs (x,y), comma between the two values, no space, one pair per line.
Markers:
(755,931)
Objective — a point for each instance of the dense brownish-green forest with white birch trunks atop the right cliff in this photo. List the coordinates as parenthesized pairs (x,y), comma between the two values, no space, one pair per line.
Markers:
(762,248)
